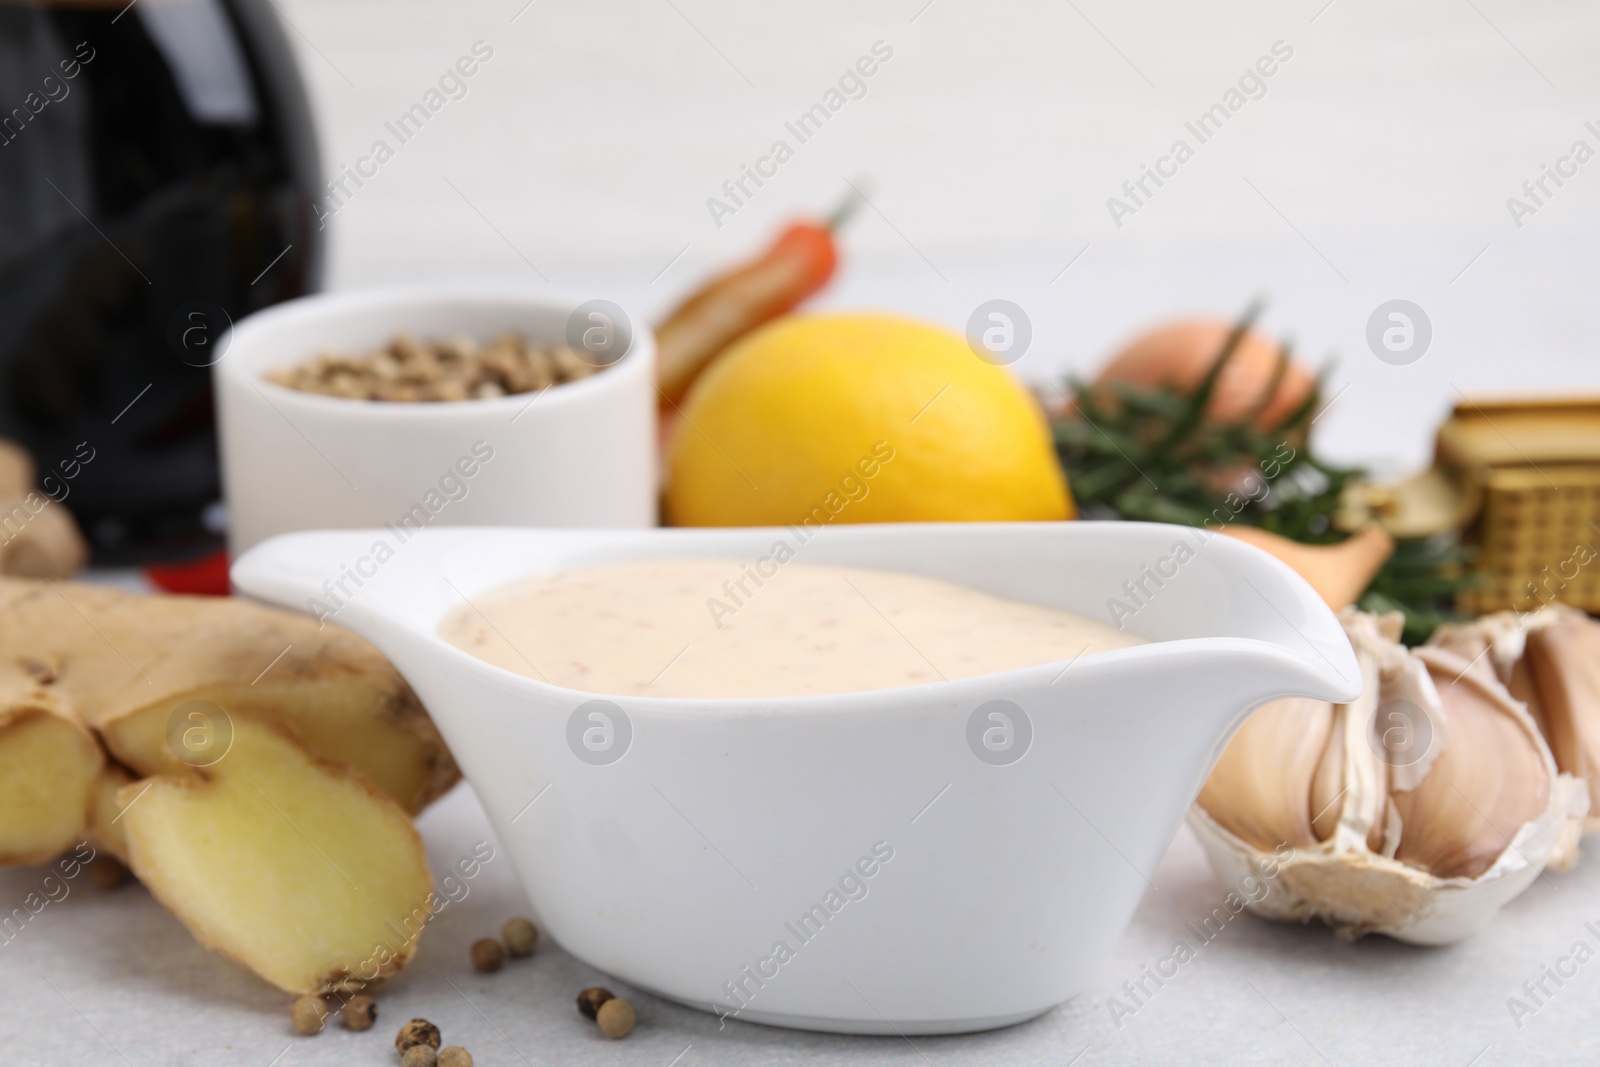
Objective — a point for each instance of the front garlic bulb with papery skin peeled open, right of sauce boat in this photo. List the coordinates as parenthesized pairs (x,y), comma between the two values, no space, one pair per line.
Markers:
(1415,812)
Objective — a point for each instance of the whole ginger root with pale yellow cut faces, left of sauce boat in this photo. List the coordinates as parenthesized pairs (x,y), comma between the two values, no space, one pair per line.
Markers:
(260,777)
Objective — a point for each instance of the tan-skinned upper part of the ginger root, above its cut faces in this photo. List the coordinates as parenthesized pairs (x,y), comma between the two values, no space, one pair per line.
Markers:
(151,674)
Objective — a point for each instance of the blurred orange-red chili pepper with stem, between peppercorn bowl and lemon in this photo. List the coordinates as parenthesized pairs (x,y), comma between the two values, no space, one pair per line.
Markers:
(732,305)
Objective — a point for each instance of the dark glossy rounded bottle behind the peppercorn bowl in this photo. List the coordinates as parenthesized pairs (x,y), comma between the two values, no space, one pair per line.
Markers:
(158,182)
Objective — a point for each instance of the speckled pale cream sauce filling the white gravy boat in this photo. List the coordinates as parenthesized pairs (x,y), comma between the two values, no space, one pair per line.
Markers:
(719,629)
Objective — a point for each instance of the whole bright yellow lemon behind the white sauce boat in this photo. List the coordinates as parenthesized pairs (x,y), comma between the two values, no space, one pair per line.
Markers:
(860,418)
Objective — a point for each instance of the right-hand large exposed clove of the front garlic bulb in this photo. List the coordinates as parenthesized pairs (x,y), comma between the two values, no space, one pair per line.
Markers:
(1487,781)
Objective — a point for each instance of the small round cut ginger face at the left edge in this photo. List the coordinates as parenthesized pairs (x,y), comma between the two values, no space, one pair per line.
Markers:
(47,785)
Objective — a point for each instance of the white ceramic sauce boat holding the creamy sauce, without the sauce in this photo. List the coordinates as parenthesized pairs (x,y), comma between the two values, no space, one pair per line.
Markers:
(927,860)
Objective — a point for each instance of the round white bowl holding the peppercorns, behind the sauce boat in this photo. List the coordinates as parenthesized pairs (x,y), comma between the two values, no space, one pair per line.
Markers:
(578,454)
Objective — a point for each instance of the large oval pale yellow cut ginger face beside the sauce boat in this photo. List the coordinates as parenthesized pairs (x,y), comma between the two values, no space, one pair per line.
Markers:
(297,869)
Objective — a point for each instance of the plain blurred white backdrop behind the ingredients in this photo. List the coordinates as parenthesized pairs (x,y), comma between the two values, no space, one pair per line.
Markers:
(1377,167)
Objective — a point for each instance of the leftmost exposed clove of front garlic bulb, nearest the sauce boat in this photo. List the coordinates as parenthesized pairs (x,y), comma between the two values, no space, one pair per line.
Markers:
(1262,788)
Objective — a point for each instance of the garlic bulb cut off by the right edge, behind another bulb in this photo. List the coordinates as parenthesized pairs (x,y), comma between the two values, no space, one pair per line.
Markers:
(1551,661)
